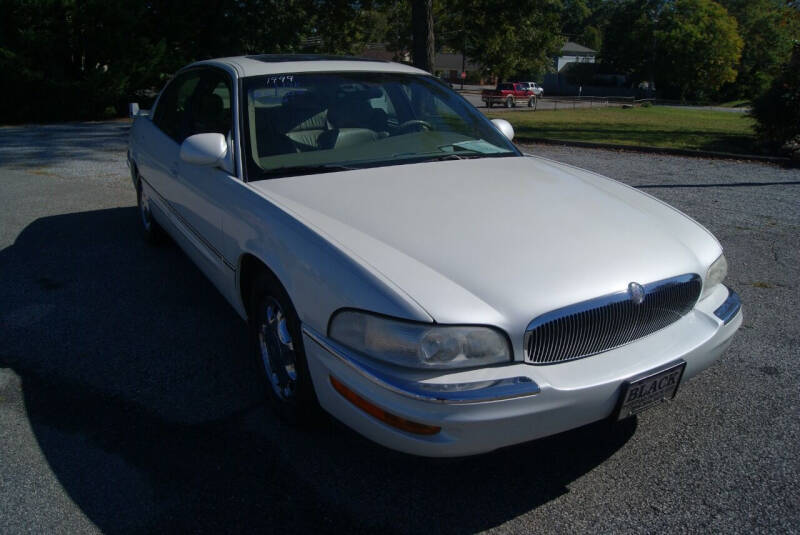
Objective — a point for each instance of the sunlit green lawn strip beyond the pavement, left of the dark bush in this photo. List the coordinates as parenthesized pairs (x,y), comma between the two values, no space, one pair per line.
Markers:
(654,127)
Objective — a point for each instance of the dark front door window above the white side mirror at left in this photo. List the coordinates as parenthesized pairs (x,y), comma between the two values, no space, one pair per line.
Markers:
(211,105)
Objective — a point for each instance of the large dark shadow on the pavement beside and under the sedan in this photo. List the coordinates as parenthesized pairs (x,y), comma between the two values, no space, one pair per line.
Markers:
(134,380)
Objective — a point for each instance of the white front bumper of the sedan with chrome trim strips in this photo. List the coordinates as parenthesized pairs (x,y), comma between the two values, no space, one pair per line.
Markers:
(484,409)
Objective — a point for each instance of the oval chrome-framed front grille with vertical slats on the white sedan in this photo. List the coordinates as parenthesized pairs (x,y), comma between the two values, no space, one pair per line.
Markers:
(600,324)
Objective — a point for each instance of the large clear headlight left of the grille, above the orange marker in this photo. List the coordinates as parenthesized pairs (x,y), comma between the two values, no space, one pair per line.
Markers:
(419,345)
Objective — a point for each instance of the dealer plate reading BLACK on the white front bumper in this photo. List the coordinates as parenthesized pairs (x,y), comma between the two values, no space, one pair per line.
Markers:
(649,389)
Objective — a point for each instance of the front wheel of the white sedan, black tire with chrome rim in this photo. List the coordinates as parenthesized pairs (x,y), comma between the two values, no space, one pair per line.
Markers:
(278,354)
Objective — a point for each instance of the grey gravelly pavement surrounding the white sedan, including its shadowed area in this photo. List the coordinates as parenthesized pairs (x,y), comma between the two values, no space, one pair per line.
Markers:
(126,405)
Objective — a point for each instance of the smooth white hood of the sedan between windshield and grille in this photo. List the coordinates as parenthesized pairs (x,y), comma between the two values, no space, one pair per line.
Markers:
(496,240)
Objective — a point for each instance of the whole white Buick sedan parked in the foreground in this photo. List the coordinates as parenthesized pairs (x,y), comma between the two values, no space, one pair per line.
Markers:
(403,266)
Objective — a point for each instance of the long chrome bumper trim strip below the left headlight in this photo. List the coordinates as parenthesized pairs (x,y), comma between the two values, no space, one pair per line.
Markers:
(450,393)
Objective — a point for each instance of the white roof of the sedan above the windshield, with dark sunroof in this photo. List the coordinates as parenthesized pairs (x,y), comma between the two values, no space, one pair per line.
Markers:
(263,64)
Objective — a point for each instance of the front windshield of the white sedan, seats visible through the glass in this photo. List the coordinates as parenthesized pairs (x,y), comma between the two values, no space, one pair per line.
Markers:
(316,122)
